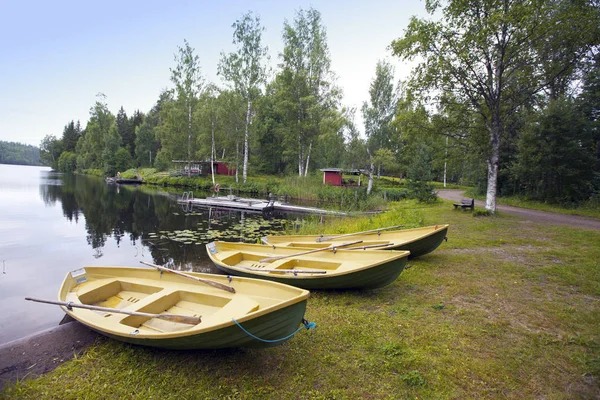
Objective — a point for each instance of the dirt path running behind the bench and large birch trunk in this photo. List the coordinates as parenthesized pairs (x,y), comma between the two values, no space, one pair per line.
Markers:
(532,215)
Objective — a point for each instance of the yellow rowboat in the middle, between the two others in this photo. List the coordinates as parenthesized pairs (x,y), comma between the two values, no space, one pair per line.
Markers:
(309,269)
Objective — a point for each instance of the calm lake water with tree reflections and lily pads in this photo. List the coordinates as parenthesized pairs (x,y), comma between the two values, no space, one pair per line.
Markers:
(51,224)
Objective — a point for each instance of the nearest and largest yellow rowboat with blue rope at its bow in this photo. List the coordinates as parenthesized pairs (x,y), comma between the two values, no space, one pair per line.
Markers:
(259,314)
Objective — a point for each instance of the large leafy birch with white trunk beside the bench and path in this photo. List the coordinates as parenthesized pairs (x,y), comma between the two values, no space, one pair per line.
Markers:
(492,55)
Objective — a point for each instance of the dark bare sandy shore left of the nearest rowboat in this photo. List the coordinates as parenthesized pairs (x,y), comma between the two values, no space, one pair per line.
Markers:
(42,352)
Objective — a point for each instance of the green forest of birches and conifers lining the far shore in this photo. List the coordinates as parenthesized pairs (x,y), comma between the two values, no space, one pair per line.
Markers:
(505,97)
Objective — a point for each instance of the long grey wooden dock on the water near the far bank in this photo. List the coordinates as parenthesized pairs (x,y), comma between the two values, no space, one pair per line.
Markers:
(259,205)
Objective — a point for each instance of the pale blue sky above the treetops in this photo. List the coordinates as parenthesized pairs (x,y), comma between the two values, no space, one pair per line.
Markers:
(56,56)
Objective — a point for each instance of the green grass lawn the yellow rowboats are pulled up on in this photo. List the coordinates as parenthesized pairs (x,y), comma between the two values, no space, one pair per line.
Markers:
(504,309)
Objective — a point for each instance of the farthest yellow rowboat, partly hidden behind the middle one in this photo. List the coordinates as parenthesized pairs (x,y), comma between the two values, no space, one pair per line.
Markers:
(418,241)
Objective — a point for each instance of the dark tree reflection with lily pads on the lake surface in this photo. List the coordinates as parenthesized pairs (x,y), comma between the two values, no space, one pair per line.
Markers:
(149,220)
